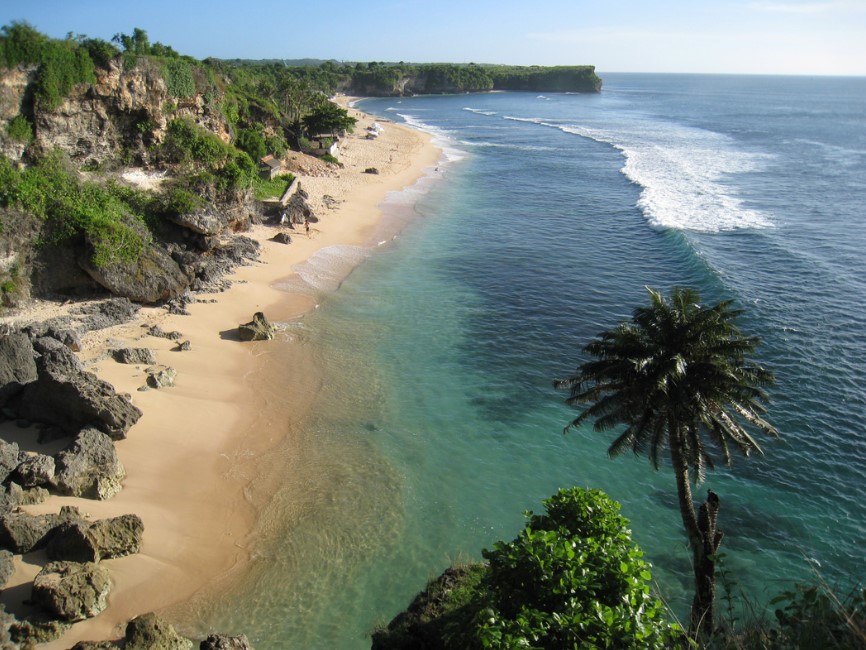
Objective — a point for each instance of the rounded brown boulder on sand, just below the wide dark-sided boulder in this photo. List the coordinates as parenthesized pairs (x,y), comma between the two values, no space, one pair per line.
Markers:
(72,591)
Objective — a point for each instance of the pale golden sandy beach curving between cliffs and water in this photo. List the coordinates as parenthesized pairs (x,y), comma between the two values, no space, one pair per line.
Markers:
(195,460)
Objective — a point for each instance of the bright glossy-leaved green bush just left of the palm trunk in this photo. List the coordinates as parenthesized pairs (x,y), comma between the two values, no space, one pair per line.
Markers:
(573,578)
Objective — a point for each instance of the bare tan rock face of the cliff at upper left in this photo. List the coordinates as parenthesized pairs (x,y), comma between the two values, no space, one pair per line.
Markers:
(125,110)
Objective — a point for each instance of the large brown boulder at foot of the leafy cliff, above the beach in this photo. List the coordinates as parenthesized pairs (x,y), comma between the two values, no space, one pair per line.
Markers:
(152,277)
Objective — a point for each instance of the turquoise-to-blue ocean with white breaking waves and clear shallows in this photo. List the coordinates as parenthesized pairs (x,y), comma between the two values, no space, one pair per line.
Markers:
(435,422)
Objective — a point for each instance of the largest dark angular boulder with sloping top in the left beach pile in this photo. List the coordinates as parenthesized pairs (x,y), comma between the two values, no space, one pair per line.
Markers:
(72,398)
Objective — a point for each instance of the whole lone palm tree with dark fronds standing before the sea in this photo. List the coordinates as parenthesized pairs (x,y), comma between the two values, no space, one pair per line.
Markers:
(677,376)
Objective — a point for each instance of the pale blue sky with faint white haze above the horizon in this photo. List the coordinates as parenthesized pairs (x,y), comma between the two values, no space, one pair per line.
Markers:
(808,37)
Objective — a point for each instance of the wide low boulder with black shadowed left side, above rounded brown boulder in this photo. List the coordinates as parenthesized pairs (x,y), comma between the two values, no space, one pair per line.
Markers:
(81,541)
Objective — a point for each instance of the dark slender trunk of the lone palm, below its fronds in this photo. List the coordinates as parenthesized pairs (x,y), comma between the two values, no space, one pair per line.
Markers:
(702,564)
